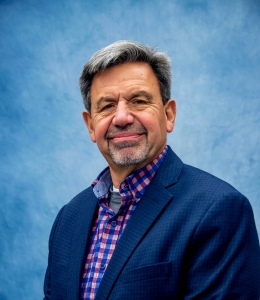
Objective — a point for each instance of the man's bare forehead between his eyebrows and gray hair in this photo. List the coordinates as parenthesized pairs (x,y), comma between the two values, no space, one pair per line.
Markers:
(124,77)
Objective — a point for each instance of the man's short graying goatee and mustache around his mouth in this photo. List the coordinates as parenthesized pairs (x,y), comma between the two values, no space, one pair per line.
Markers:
(128,153)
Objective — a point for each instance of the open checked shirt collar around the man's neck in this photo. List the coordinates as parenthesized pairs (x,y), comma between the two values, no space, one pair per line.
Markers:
(137,182)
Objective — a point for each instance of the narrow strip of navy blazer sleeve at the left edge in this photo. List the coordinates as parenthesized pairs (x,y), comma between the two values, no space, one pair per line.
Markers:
(47,286)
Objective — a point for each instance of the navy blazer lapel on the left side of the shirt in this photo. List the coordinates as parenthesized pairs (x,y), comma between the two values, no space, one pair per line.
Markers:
(81,230)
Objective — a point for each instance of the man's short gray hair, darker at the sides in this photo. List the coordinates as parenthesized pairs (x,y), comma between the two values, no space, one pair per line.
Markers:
(122,52)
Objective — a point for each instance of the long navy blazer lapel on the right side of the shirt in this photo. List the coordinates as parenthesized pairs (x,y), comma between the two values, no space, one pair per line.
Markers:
(154,200)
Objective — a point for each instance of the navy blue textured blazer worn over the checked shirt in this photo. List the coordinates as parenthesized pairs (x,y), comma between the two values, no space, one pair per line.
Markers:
(192,236)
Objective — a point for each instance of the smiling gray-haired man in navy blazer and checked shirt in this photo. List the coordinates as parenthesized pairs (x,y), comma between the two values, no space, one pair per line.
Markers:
(149,227)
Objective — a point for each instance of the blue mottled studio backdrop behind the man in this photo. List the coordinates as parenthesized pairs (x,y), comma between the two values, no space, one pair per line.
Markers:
(46,154)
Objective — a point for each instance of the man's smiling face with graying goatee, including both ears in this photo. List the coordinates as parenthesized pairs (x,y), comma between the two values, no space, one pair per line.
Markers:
(128,120)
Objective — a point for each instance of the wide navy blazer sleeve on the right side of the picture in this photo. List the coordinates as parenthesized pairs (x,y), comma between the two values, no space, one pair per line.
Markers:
(225,253)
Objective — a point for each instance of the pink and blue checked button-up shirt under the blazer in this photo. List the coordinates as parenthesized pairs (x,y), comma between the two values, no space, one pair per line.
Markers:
(109,226)
